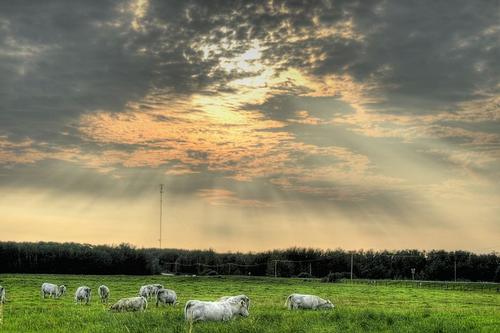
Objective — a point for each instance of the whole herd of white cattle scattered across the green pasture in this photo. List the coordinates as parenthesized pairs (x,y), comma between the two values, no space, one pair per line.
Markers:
(223,309)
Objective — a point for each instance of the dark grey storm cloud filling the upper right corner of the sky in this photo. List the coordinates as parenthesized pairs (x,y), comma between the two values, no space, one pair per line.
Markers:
(426,55)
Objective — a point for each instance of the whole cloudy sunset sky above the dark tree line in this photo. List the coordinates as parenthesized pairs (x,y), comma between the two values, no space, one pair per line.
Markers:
(272,124)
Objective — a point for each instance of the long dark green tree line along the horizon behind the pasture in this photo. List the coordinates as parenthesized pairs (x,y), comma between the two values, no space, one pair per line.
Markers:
(74,258)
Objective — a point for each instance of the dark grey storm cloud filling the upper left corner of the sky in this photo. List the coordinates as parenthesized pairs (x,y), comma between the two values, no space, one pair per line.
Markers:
(59,59)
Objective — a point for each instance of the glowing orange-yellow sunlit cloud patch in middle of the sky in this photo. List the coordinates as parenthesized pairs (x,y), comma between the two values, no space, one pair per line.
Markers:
(240,142)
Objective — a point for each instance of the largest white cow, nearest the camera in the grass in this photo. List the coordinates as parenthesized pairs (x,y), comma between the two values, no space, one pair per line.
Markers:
(214,311)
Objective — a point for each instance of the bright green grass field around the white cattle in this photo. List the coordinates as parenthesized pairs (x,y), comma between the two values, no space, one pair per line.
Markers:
(359,307)
